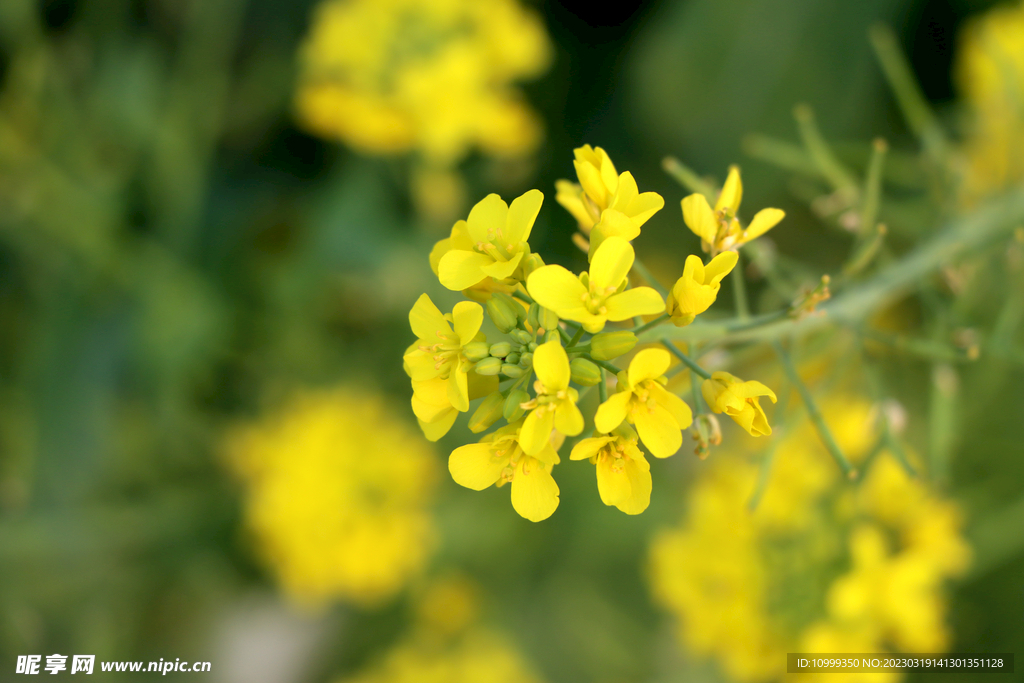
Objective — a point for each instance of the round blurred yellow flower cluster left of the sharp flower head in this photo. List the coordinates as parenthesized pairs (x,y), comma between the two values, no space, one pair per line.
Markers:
(337,496)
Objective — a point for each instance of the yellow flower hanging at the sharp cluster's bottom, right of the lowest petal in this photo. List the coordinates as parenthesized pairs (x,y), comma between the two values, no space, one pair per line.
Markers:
(623,473)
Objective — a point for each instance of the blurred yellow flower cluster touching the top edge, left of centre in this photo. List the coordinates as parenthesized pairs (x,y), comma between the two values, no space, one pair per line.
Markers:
(425,76)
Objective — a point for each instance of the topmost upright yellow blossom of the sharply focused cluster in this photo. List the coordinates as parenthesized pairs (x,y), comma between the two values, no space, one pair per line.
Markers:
(605,203)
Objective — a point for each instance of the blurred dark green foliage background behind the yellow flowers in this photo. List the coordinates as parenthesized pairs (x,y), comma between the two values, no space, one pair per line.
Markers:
(178,257)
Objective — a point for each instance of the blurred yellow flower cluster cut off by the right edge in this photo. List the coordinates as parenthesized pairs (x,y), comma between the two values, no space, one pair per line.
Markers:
(990,72)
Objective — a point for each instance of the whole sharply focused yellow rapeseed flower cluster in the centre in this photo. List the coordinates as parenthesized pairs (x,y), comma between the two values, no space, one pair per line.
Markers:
(556,334)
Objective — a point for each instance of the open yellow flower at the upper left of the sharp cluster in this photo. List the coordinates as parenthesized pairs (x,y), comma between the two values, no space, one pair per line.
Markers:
(495,242)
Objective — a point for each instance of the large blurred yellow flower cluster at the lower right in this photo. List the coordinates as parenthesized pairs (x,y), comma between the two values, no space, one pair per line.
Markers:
(820,567)
